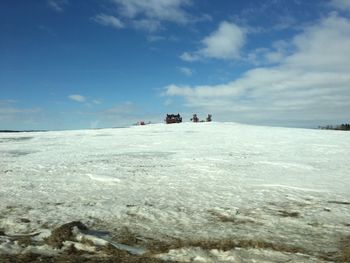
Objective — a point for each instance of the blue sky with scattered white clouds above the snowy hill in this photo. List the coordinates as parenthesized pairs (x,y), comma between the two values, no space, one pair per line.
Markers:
(76,64)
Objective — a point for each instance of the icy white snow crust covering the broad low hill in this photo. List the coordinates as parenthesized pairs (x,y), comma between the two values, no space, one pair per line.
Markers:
(188,182)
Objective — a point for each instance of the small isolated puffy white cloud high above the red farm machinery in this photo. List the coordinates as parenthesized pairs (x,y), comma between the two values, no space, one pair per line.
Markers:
(224,43)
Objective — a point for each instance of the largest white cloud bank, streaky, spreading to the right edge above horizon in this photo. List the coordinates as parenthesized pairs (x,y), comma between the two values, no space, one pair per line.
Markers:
(312,83)
